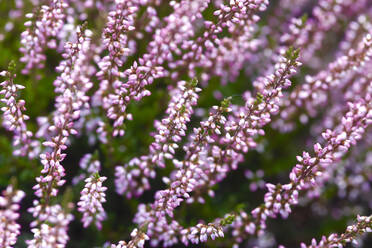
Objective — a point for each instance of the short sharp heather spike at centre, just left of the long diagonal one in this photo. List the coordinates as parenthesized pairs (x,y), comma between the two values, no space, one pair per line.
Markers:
(132,179)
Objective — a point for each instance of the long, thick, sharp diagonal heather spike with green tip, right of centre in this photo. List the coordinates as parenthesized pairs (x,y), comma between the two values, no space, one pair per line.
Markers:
(199,169)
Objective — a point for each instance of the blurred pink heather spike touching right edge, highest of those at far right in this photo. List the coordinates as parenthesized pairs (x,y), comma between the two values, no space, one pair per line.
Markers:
(313,94)
